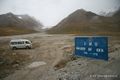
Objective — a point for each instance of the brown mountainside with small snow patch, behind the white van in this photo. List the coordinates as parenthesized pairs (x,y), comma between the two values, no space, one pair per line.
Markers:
(11,24)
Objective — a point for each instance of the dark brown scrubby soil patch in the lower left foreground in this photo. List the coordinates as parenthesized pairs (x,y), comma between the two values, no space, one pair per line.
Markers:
(10,61)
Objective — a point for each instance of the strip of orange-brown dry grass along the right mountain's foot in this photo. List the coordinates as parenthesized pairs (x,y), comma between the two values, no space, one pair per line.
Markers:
(84,33)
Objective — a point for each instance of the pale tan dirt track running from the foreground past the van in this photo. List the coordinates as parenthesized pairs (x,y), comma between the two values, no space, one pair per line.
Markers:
(47,49)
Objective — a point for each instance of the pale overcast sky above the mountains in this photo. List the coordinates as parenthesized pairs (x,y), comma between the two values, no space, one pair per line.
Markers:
(50,12)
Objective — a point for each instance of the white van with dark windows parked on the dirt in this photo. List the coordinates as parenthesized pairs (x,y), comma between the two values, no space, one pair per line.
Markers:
(20,43)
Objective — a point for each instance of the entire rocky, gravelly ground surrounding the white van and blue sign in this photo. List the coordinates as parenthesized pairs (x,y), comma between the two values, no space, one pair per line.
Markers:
(51,58)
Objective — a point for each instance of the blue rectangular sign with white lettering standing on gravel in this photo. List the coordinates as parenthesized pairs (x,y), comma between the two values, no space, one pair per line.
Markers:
(95,47)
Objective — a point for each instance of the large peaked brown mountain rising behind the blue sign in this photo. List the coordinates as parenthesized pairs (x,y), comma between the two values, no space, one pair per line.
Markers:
(87,23)
